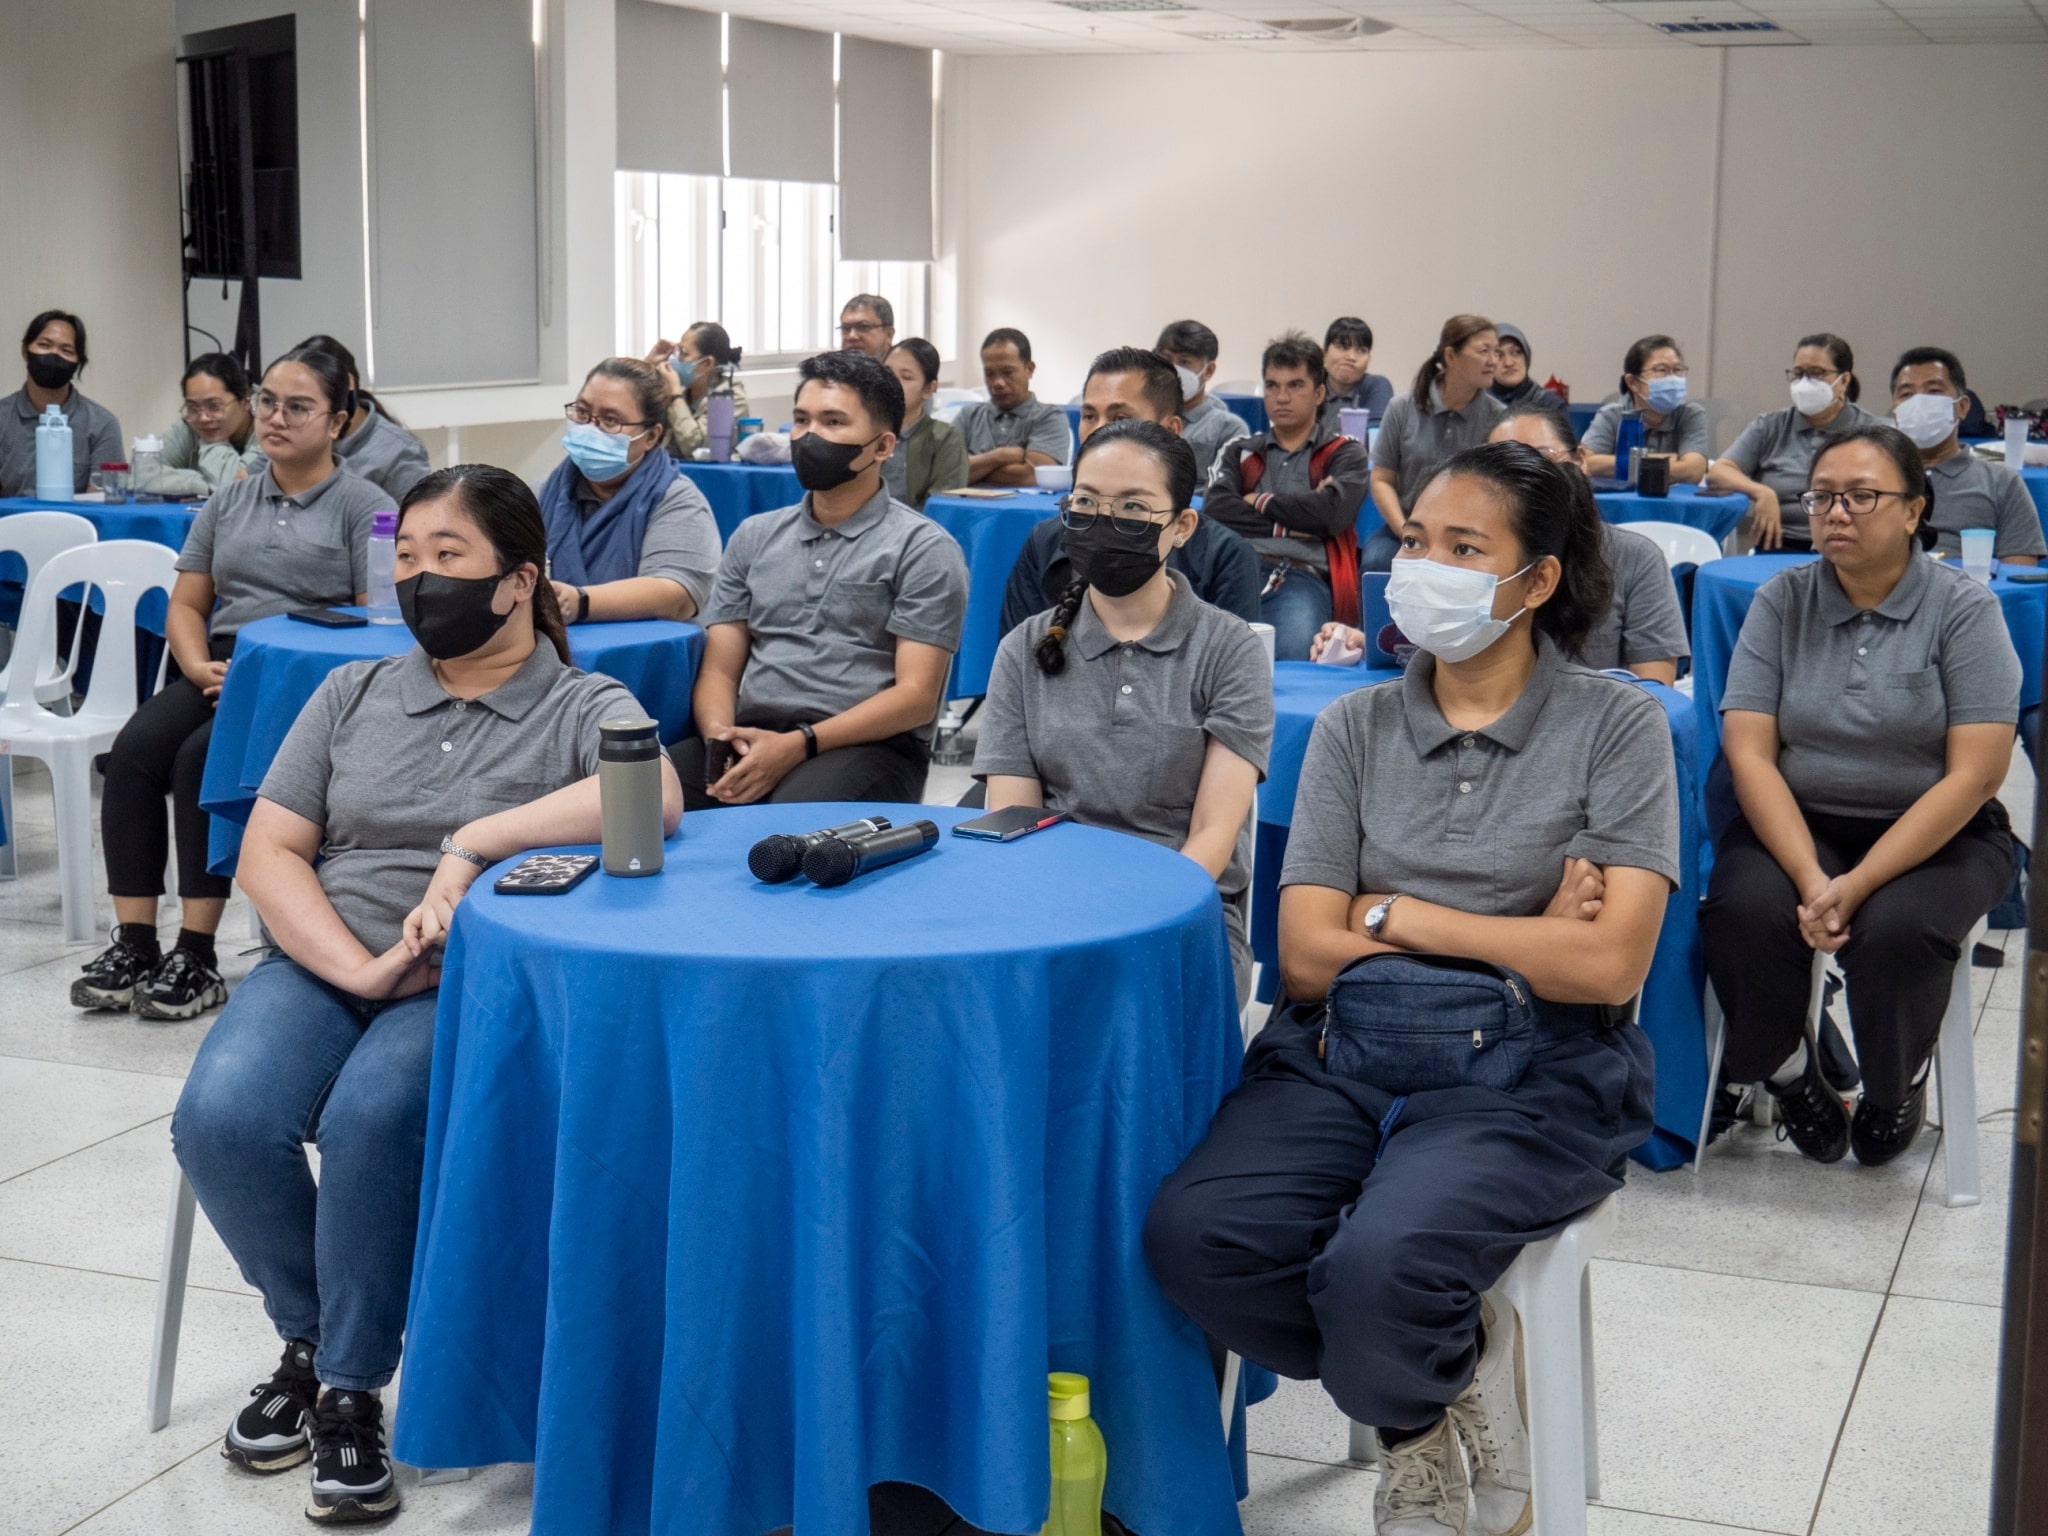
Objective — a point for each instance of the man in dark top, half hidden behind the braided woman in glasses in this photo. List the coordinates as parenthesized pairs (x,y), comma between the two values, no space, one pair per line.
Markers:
(1127,384)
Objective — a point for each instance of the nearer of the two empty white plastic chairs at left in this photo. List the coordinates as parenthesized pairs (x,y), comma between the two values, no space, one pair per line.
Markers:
(124,570)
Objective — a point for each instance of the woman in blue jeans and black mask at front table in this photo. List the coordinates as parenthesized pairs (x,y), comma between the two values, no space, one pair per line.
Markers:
(400,781)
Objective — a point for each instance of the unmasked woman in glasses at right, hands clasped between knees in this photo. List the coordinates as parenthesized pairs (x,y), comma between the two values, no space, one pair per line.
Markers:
(1869,722)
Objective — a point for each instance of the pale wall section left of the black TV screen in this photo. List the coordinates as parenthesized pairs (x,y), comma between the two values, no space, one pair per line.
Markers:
(91,196)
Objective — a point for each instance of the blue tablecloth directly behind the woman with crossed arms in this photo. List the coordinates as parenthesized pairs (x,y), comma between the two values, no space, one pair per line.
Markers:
(1678,974)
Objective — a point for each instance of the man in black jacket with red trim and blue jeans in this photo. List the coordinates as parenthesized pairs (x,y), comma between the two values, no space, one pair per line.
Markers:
(1295,495)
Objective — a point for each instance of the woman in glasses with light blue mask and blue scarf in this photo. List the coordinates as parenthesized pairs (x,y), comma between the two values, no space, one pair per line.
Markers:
(628,534)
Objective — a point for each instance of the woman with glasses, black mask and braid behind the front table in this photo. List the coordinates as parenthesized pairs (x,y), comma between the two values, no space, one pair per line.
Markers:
(1136,706)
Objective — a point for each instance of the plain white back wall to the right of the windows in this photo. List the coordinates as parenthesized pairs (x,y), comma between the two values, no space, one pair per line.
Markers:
(1570,194)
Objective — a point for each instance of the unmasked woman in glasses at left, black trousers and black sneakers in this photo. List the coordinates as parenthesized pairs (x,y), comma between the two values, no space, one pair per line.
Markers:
(294,536)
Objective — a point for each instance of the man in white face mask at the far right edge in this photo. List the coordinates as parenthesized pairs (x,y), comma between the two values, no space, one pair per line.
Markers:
(1930,400)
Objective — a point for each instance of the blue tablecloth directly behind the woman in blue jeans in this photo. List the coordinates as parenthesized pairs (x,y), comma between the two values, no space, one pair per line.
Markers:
(280,663)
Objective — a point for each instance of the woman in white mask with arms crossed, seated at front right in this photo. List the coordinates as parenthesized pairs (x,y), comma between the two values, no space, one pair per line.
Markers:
(1502,806)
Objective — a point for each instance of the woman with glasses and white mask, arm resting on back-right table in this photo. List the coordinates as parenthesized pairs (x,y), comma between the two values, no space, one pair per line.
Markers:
(1773,460)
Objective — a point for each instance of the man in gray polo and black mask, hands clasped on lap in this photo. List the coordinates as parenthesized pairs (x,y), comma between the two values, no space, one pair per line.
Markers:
(833,626)
